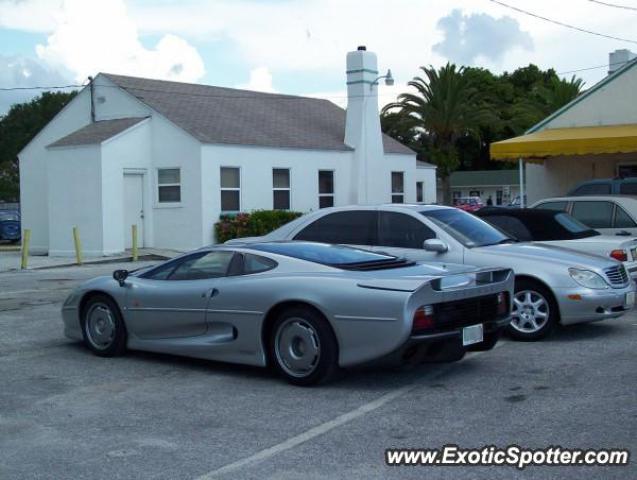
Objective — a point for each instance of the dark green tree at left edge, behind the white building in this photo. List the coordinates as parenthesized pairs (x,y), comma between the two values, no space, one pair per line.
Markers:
(17,128)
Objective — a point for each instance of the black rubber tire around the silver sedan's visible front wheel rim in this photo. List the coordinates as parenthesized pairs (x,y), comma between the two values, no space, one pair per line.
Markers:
(552,312)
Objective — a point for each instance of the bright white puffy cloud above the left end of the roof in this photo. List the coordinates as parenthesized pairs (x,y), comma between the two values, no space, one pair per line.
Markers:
(87,37)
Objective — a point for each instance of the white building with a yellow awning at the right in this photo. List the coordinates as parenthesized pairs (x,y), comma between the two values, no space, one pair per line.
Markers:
(593,136)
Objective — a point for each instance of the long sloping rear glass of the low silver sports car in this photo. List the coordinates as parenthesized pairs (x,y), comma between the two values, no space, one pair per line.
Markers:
(333,255)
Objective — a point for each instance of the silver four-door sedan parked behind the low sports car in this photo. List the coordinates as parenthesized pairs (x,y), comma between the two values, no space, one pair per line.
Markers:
(553,284)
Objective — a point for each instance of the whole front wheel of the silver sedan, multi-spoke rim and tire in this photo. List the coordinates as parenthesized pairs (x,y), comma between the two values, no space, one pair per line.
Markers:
(534,312)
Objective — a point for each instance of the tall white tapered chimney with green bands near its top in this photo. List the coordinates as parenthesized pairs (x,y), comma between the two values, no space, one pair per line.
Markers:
(370,176)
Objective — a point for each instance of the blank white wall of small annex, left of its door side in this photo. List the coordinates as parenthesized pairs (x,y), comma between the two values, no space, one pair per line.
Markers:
(74,199)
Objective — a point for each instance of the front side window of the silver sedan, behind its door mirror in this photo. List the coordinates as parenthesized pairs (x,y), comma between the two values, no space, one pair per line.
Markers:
(402,231)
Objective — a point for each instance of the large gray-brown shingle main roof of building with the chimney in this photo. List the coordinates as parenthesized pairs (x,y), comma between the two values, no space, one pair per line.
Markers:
(243,117)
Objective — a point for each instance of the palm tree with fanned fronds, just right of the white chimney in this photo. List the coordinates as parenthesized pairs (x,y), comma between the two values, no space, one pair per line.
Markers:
(445,107)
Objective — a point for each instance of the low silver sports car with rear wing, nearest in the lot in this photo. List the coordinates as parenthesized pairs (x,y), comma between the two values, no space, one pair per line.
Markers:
(305,308)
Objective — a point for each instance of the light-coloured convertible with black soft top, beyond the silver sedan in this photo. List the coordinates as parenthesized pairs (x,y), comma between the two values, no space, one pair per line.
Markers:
(553,227)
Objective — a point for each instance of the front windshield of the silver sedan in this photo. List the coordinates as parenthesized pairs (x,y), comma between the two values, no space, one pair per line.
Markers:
(466,228)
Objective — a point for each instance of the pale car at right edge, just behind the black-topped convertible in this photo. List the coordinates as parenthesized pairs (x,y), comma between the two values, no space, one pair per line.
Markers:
(610,215)
